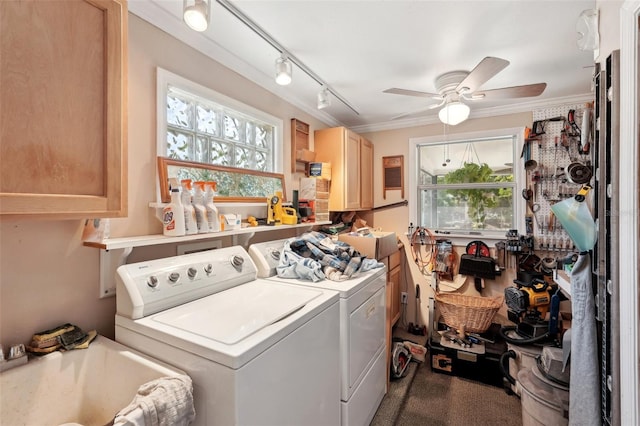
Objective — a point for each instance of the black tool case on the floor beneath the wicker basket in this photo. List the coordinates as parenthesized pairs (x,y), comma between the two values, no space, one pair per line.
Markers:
(484,368)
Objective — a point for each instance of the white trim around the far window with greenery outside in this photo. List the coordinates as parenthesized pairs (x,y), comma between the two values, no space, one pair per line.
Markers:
(517,132)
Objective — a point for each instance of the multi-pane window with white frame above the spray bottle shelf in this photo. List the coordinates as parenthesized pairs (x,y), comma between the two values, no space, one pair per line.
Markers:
(200,125)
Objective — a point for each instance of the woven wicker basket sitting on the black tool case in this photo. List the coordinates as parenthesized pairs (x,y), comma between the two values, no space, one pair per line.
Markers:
(474,313)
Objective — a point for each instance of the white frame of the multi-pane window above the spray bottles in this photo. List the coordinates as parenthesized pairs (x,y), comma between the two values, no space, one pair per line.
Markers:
(165,78)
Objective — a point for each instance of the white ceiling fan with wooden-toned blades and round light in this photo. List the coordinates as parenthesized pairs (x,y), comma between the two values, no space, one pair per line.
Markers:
(455,86)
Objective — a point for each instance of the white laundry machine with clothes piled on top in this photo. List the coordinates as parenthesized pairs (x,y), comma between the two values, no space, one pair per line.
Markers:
(363,369)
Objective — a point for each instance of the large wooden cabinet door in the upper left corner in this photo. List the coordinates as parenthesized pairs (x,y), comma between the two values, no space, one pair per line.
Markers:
(63,108)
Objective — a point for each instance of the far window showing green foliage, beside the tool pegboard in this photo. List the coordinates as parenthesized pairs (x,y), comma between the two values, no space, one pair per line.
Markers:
(467,184)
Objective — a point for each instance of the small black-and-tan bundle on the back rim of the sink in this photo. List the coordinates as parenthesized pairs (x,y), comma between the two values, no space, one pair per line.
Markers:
(63,337)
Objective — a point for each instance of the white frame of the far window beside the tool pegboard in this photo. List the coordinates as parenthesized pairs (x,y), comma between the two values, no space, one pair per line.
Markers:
(414,191)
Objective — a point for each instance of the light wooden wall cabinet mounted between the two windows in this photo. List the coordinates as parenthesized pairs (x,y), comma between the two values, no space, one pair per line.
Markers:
(351,158)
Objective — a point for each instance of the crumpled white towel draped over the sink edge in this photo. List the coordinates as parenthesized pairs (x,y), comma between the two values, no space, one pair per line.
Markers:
(162,402)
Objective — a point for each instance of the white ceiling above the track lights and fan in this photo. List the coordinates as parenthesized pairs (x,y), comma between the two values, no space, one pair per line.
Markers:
(362,47)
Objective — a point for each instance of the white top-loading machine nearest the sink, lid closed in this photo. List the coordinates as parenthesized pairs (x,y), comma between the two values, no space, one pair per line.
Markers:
(258,353)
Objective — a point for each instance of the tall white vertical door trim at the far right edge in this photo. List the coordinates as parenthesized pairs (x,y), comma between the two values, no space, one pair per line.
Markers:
(628,222)
